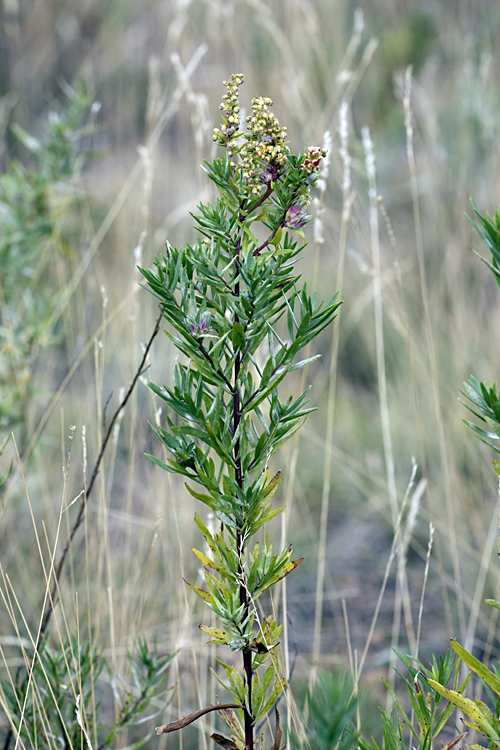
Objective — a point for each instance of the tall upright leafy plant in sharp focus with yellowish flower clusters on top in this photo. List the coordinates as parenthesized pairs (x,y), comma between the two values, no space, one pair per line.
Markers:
(235,311)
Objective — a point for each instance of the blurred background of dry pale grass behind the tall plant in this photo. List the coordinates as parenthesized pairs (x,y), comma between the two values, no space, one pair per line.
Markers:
(106,114)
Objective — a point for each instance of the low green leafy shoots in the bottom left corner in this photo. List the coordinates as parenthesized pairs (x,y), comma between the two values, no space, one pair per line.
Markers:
(73,676)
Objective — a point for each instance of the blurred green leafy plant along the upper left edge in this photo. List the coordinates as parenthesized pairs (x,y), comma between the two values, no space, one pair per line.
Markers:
(35,198)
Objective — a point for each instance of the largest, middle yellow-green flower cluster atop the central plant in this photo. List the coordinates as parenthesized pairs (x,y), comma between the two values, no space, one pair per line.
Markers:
(264,153)
